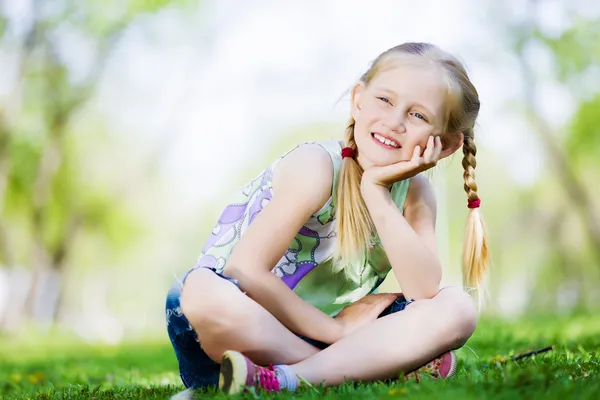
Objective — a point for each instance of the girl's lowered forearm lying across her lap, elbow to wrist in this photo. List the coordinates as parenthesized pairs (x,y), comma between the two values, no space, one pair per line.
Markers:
(298,316)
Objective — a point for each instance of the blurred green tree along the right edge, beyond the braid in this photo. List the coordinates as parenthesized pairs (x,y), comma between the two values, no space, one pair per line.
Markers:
(570,149)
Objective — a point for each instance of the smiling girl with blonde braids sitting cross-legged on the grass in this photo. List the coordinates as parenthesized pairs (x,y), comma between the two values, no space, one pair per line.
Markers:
(288,275)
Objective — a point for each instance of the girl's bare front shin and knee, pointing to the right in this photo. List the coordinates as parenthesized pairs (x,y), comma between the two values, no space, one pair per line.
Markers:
(396,343)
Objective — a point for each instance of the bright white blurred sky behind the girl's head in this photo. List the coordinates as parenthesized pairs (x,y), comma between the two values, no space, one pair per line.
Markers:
(234,76)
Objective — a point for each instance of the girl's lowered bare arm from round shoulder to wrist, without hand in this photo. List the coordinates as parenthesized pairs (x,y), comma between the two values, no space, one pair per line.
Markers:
(302,183)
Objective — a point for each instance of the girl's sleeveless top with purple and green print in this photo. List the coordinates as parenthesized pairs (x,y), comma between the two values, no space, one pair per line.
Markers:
(306,266)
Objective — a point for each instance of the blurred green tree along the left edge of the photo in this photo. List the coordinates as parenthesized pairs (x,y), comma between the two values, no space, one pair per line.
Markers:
(44,196)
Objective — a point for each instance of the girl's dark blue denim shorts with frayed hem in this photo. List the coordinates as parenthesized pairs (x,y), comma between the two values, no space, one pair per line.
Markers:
(196,368)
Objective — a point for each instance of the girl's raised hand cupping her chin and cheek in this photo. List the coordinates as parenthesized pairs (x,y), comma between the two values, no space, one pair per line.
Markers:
(387,175)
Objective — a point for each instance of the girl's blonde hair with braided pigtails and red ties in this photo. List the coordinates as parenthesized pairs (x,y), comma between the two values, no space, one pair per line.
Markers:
(356,230)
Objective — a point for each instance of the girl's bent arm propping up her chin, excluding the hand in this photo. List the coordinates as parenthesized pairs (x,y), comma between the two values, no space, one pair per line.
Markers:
(409,241)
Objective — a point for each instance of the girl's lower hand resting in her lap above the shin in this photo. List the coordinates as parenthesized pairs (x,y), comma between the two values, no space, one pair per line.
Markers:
(364,311)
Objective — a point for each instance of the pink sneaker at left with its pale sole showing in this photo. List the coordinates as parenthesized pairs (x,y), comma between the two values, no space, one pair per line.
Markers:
(238,372)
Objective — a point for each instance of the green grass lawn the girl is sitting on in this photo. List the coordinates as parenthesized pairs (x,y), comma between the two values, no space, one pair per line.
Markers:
(67,369)
